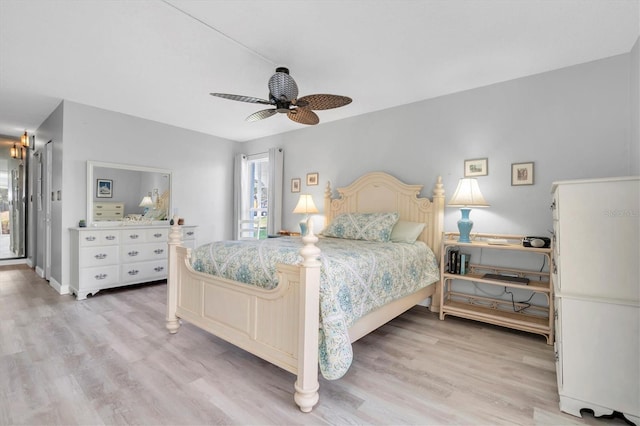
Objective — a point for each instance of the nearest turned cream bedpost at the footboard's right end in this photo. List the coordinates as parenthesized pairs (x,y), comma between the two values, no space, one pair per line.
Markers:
(306,386)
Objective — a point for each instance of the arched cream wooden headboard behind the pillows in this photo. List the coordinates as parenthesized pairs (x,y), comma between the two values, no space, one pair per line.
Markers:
(379,192)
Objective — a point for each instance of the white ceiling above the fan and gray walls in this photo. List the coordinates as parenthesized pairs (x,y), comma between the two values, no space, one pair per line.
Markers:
(160,59)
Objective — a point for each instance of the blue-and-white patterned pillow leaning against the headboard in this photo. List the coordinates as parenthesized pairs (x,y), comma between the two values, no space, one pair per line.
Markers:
(362,226)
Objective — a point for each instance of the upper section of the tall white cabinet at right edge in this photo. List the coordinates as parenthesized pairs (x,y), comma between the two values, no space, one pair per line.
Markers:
(598,238)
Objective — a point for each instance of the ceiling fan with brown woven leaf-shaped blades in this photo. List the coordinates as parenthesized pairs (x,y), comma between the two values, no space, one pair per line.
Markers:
(283,96)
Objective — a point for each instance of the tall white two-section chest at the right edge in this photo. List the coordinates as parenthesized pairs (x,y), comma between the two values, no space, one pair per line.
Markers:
(597,292)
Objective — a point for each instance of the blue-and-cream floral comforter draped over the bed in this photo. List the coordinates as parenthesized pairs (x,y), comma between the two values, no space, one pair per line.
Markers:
(356,278)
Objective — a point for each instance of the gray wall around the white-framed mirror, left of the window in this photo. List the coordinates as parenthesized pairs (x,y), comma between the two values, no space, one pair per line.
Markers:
(201,168)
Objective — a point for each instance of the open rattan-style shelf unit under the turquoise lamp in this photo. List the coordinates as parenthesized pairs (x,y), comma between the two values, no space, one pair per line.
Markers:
(505,312)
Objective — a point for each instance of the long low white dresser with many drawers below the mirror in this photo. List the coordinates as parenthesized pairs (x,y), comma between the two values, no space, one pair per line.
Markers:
(106,257)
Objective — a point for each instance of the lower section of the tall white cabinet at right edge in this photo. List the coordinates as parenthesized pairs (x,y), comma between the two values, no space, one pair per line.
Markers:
(600,354)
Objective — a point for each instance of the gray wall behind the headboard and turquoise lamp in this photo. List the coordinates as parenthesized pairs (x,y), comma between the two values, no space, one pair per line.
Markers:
(572,123)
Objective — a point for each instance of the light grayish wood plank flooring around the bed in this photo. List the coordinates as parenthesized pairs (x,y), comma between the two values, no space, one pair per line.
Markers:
(109,360)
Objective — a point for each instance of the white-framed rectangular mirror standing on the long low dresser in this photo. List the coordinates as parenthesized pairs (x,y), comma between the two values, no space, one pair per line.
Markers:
(127,194)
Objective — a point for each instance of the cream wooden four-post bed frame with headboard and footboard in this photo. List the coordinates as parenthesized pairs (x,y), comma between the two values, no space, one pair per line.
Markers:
(281,325)
